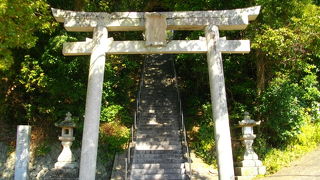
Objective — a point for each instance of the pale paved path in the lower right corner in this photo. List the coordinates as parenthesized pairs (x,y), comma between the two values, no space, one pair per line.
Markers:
(305,168)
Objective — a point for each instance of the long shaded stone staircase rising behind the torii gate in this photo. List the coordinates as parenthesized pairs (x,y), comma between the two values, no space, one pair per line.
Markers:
(158,151)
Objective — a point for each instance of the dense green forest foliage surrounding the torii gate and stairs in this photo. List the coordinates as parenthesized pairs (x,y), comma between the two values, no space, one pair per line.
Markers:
(278,82)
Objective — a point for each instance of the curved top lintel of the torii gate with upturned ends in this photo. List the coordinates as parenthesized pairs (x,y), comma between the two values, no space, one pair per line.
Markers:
(236,19)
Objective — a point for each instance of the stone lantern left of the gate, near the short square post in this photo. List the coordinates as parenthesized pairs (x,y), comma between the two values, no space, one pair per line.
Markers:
(66,159)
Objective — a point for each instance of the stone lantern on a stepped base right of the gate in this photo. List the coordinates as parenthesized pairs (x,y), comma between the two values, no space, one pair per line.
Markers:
(250,166)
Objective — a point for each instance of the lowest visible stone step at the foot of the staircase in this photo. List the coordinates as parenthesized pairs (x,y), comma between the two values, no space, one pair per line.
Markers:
(160,177)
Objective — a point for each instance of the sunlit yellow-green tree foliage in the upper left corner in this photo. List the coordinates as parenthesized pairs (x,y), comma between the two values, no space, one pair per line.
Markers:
(19,21)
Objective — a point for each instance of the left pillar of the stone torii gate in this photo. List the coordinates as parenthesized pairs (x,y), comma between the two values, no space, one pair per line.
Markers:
(93,104)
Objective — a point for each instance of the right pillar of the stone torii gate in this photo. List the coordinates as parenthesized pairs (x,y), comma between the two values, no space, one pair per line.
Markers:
(219,105)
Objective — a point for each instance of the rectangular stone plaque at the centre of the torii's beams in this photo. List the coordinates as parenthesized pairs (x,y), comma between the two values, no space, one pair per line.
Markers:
(155,29)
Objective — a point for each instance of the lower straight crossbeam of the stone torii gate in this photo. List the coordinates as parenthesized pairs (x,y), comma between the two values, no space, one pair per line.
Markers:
(172,47)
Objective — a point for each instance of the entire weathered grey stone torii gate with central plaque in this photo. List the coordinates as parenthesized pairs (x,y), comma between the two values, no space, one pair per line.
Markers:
(155,25)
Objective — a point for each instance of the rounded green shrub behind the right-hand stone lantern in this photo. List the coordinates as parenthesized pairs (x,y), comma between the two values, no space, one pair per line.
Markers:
(287,105)
